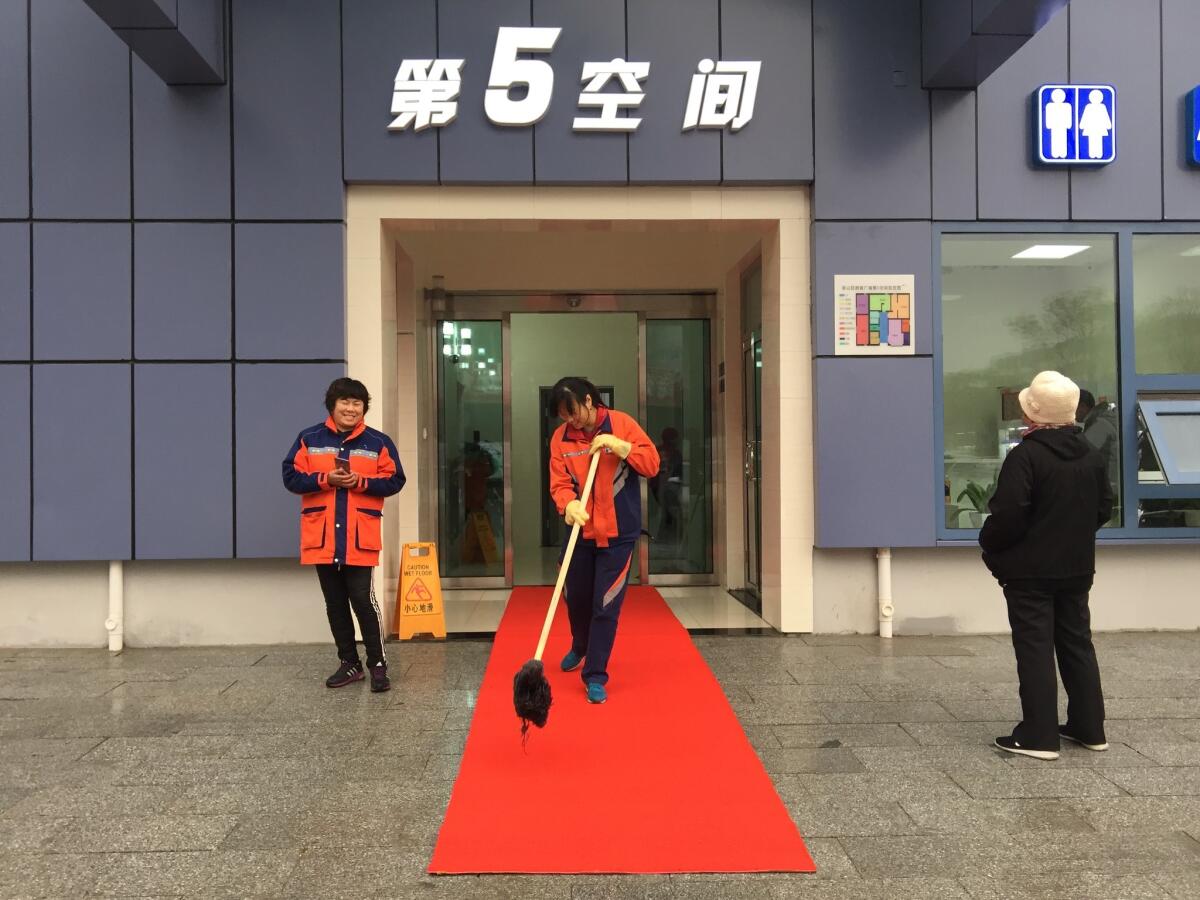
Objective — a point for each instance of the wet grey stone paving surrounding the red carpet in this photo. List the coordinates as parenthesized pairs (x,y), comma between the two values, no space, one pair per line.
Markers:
(232,772)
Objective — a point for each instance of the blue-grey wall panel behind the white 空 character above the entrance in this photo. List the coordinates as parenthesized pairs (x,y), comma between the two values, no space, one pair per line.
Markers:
(593,32)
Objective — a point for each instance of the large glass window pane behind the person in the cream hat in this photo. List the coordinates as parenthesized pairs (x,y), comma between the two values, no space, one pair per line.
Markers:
(1015,305)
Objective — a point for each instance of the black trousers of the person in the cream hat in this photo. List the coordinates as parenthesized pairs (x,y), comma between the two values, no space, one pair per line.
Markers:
(1051,617)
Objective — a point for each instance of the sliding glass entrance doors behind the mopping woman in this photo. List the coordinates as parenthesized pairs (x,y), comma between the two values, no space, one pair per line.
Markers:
(496,359)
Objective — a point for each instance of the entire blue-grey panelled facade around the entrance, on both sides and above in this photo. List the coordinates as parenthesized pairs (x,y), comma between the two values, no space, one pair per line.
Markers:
(206,225)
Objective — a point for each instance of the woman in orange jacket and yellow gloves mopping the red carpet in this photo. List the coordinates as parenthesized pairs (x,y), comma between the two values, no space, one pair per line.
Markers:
(598,573)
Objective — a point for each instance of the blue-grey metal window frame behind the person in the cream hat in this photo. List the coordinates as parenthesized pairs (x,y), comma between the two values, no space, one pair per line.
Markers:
(1130,383)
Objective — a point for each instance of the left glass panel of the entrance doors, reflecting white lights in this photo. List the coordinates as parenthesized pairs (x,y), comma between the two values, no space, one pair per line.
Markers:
(471,449)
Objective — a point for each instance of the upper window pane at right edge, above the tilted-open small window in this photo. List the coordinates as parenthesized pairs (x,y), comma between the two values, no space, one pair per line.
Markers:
(1167,303)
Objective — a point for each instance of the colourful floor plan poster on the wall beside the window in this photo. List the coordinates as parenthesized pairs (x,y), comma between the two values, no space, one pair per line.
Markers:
(874,316)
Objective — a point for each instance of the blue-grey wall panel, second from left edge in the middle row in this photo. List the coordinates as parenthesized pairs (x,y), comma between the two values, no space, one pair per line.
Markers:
(82,289)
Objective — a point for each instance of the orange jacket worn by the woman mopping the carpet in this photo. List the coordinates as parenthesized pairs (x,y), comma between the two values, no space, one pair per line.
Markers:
(616,502)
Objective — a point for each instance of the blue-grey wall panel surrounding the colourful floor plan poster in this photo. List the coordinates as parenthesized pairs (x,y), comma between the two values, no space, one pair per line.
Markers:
(872,249)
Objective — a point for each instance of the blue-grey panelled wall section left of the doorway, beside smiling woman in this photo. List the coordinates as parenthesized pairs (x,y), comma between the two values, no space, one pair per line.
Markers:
(124,256)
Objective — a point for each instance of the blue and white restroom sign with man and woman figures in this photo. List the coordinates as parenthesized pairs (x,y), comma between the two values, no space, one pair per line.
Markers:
(1077,124)
